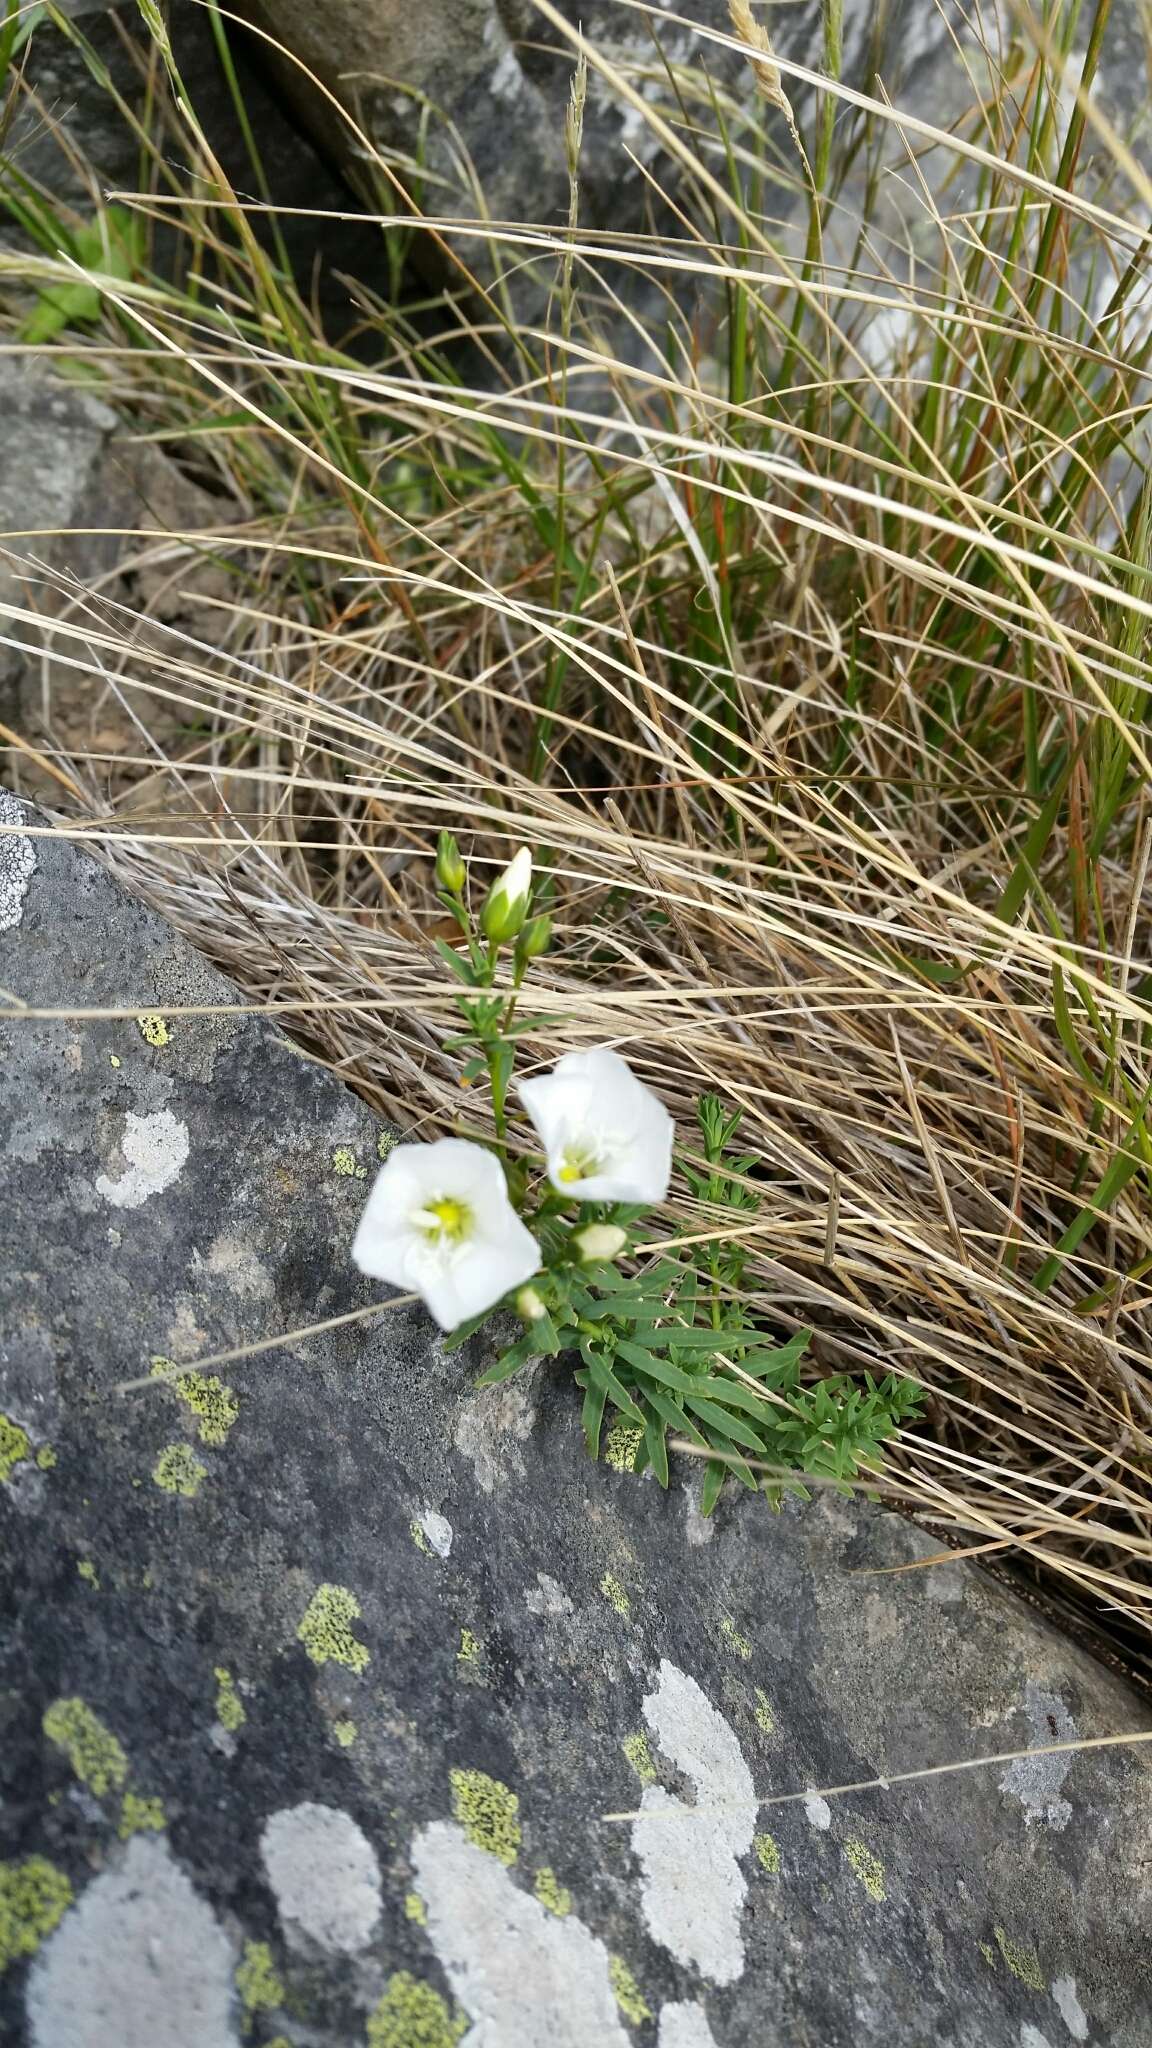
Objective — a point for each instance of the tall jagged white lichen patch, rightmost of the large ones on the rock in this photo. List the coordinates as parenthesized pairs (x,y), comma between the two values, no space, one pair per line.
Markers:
(694,1887)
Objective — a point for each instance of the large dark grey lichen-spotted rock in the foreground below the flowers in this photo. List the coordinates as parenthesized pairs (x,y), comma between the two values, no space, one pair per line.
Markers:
(323,1672)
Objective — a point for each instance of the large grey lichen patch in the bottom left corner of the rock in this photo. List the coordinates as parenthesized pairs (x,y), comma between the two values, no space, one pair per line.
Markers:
(140,1961)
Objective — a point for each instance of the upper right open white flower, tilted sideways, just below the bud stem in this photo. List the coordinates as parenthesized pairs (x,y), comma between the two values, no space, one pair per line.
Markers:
(608,1138)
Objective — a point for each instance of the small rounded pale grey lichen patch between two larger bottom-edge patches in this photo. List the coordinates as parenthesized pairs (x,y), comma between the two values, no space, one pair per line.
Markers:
(325,1877)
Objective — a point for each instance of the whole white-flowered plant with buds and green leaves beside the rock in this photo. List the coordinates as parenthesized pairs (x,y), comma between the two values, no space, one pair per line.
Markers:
(673,1347)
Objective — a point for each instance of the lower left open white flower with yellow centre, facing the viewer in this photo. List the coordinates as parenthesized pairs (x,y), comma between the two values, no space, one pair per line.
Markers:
(440,1224)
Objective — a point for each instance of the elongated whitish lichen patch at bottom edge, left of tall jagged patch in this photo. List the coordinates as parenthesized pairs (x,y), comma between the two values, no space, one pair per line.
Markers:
(520,1973)
